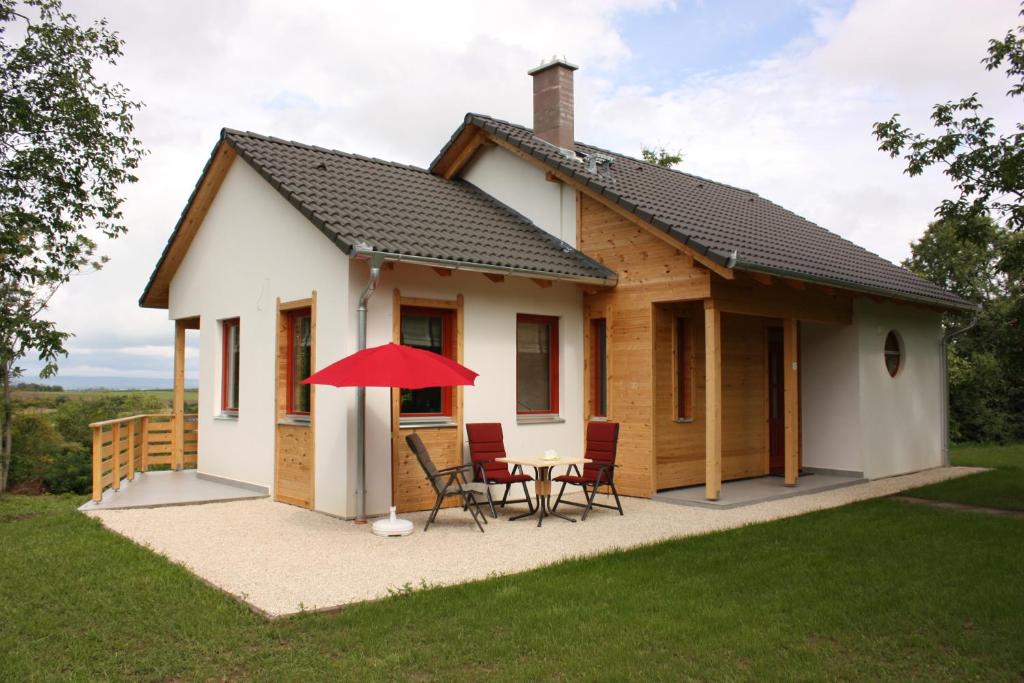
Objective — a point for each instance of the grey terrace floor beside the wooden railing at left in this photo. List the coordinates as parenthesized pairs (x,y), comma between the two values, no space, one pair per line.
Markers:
(154,490)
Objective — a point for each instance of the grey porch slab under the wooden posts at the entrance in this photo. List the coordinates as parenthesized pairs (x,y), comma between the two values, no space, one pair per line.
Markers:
(758,490)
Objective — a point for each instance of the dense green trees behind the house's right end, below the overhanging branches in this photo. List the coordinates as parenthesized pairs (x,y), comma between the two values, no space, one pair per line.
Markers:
(987,365)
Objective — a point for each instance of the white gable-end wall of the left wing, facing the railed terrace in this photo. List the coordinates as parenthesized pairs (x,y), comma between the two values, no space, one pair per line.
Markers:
(252,248)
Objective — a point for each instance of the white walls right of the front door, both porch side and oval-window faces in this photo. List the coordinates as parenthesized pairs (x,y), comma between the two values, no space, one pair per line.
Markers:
(855,416)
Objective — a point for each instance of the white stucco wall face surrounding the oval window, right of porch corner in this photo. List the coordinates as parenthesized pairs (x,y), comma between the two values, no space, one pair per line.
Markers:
(901,416)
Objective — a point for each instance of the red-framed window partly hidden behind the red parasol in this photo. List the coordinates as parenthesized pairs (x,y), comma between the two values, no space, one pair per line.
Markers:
(430,330)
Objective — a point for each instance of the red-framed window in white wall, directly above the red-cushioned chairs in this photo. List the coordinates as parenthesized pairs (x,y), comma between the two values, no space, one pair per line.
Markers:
(537,365)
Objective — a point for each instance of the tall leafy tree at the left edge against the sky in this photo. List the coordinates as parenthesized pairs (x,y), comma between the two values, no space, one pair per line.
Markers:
(67,148)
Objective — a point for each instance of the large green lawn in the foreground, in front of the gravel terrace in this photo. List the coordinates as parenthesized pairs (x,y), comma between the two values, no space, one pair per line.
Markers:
(877,590)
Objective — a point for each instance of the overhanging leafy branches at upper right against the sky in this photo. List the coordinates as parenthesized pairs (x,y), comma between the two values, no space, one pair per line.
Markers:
(987,167)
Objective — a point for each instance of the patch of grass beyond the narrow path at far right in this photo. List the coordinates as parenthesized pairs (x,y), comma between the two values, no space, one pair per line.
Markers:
(1004,488)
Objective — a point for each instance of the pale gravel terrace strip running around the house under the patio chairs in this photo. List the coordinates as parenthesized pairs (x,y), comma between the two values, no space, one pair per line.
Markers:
(282,560)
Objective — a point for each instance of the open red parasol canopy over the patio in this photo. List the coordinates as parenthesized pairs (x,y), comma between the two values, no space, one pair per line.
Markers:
(394,366)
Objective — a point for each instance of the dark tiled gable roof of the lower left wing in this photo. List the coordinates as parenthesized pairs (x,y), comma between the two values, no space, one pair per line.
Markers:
(401,210)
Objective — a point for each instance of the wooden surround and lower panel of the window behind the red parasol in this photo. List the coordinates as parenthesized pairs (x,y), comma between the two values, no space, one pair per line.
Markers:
(410,489)
